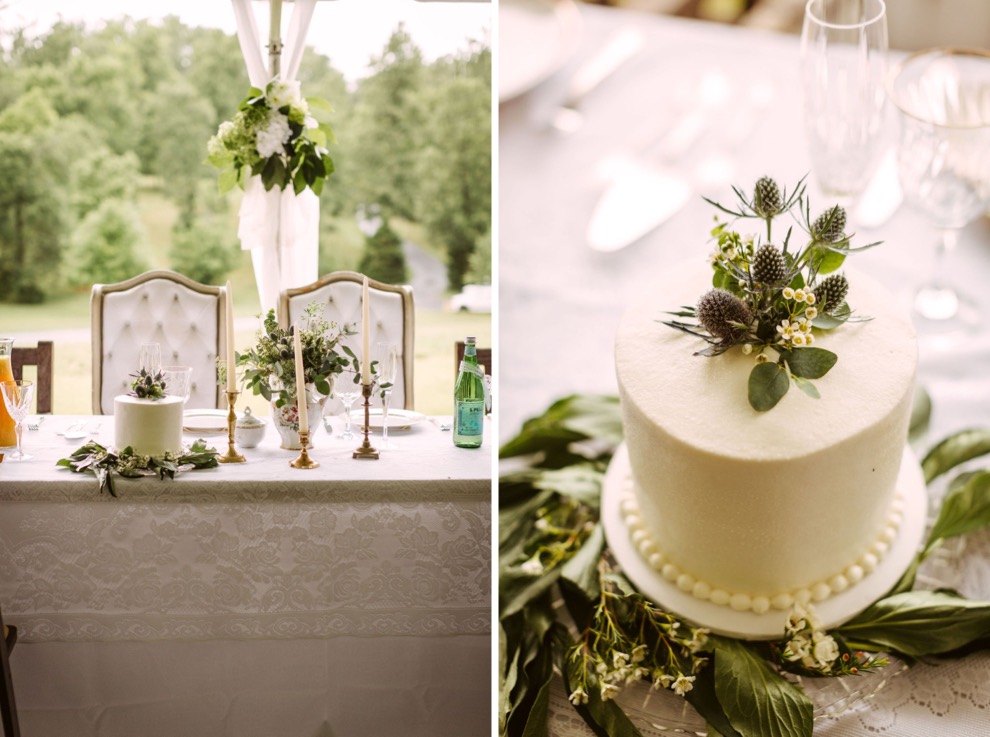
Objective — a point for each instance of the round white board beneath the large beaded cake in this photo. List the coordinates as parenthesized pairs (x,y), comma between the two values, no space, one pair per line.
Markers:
(748,625)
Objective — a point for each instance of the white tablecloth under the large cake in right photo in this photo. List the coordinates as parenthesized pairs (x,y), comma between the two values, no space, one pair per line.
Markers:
(560,302)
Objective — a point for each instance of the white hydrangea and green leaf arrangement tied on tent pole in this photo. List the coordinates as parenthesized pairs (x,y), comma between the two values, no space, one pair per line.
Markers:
(274,135)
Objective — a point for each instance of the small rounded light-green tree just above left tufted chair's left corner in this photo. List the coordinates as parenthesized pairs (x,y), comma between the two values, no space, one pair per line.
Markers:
(102,247)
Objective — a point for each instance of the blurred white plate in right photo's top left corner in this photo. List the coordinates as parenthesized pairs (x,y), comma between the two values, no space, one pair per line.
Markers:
(536,38)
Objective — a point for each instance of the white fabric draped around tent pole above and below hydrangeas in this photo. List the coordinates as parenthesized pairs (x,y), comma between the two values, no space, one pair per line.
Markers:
(280,228)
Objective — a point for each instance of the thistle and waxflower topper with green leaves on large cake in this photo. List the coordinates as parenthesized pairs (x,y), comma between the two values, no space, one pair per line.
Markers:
(770,299)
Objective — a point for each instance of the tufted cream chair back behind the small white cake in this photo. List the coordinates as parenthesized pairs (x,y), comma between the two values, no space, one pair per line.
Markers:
(163,307)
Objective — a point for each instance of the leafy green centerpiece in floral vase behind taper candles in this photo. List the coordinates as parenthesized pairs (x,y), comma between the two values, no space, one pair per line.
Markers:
(269,365)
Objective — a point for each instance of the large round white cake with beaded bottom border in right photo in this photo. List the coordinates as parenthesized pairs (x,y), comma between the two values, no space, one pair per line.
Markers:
(755,510)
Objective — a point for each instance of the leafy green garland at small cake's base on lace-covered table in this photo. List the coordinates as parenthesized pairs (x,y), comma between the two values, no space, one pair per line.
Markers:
(104,463)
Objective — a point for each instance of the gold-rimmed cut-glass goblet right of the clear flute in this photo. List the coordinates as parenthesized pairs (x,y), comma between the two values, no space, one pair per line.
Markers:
(943,102)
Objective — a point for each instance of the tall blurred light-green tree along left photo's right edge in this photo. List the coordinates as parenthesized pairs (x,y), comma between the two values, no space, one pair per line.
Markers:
(455,171)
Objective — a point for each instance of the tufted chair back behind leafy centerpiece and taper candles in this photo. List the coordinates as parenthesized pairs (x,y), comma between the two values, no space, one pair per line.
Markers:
(391,313)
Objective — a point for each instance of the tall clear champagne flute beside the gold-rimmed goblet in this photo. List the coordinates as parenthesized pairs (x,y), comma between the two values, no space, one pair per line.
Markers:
(844,67)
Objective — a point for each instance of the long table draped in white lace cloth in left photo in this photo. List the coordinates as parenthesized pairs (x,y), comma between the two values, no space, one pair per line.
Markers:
(254,598)
